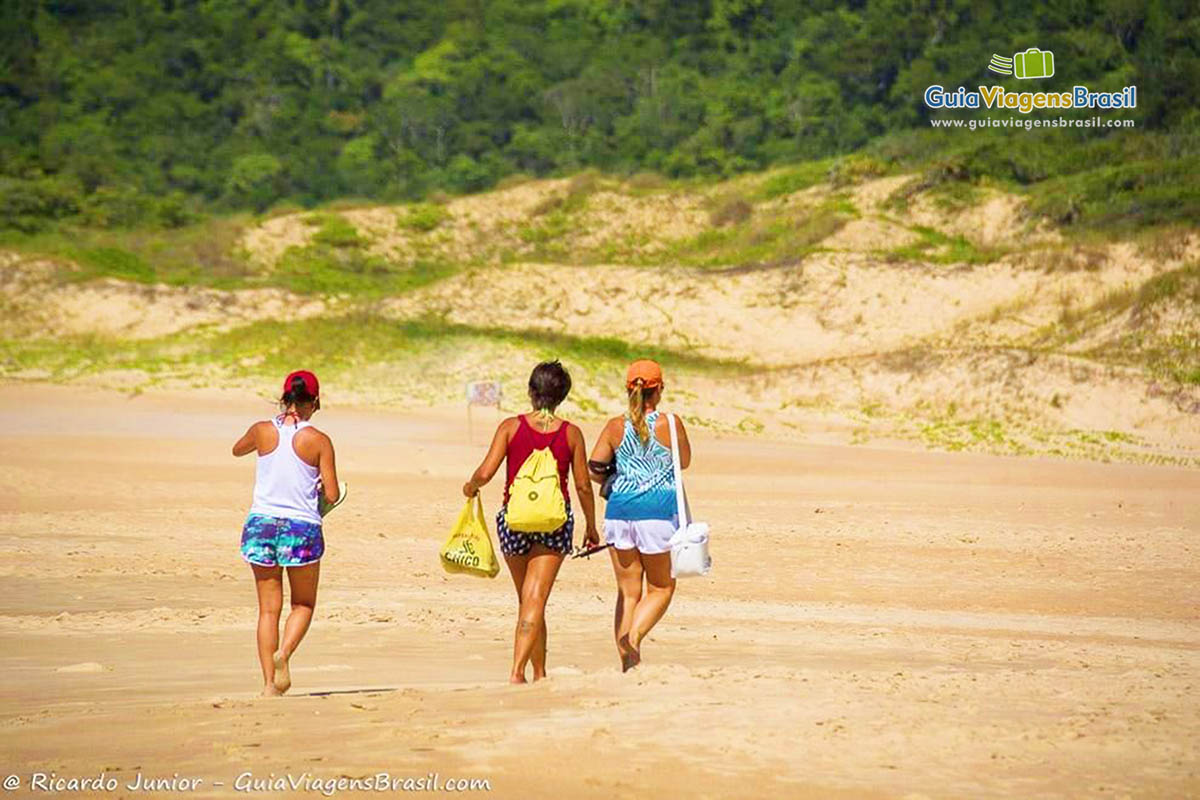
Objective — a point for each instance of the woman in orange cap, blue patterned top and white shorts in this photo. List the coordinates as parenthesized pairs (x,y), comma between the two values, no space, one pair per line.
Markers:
(641,515)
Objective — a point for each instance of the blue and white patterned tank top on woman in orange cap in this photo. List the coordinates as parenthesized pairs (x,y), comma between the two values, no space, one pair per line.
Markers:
(645,485)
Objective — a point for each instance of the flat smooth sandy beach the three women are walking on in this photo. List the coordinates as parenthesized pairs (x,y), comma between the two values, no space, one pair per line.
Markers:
(880,623)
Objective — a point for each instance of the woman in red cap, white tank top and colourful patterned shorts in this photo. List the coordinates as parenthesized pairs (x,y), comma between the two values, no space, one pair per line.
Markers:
(284,531)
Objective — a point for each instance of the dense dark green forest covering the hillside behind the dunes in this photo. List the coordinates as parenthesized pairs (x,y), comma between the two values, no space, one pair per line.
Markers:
(115,112)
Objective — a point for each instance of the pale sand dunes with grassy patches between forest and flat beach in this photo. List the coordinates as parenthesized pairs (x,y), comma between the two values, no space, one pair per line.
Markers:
(953,327)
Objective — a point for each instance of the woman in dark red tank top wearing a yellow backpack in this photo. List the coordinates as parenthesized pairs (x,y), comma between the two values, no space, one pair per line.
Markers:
(535,560)
